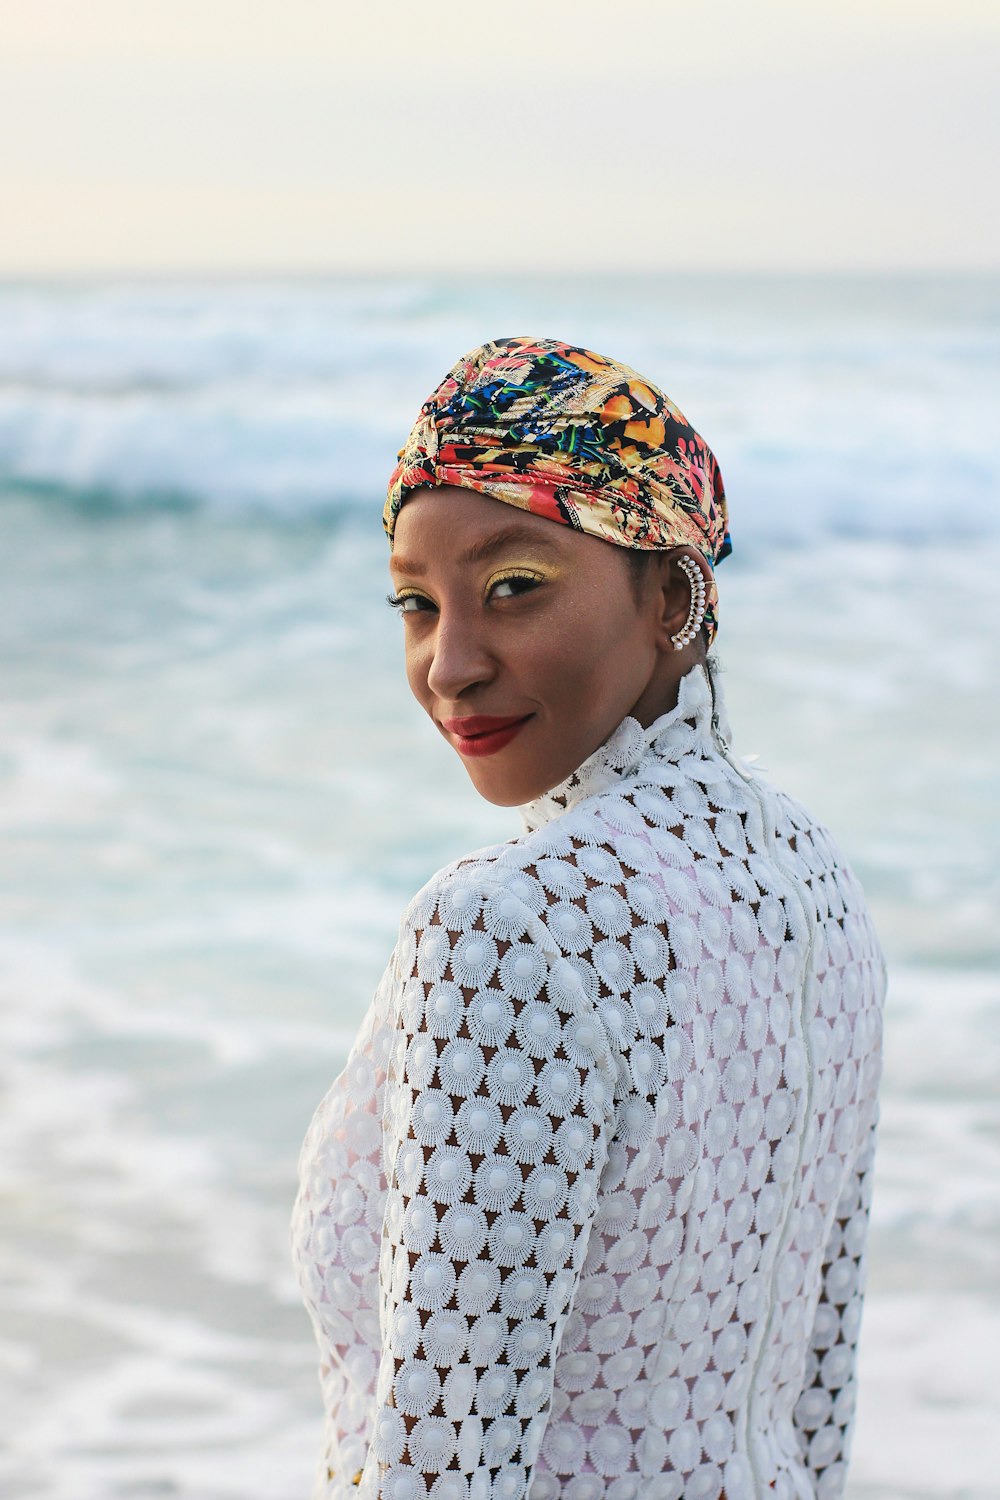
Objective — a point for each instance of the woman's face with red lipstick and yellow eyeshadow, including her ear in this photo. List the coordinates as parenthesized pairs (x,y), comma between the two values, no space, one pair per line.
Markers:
(525,641)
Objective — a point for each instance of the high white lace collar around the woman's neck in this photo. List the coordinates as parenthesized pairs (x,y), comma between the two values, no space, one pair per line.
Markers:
(693,725)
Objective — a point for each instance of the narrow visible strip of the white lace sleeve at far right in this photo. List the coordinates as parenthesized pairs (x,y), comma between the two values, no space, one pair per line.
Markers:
(825,1412)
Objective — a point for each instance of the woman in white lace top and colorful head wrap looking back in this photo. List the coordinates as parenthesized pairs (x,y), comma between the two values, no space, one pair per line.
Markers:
(585,1214)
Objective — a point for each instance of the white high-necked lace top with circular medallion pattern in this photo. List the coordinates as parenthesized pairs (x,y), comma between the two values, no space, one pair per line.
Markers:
(585,1213)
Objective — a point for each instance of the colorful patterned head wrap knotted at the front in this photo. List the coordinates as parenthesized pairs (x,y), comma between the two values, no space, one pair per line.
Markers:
(567,434)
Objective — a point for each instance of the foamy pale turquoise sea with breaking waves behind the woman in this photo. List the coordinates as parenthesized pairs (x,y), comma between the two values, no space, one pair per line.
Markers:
(217,796)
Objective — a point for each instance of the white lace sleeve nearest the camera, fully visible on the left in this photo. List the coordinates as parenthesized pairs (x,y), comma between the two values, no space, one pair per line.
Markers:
(499,1118)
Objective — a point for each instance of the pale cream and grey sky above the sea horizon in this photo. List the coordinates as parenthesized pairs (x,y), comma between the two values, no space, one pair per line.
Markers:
(296,136)
